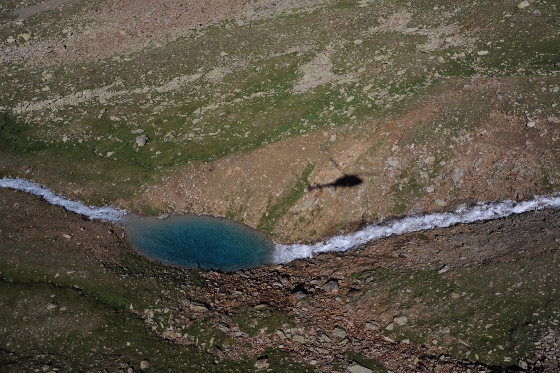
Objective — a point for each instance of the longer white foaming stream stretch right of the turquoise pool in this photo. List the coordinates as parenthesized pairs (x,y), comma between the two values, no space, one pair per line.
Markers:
(480,212)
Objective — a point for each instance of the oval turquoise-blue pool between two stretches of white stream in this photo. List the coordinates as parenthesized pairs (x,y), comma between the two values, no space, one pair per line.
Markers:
(193,241)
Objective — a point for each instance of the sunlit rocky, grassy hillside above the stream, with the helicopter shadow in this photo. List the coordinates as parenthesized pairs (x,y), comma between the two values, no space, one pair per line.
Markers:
(238,109)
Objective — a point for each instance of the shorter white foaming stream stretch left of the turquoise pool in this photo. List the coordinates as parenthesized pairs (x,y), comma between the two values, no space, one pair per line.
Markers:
(102,213)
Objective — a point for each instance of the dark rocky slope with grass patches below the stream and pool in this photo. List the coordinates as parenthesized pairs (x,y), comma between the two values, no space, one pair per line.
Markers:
(471,298)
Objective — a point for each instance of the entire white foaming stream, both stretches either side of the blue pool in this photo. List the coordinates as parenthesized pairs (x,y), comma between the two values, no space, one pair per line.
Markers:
(287,253)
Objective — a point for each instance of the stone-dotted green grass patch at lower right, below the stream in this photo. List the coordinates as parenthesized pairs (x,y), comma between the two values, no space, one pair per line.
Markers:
(471,313)
